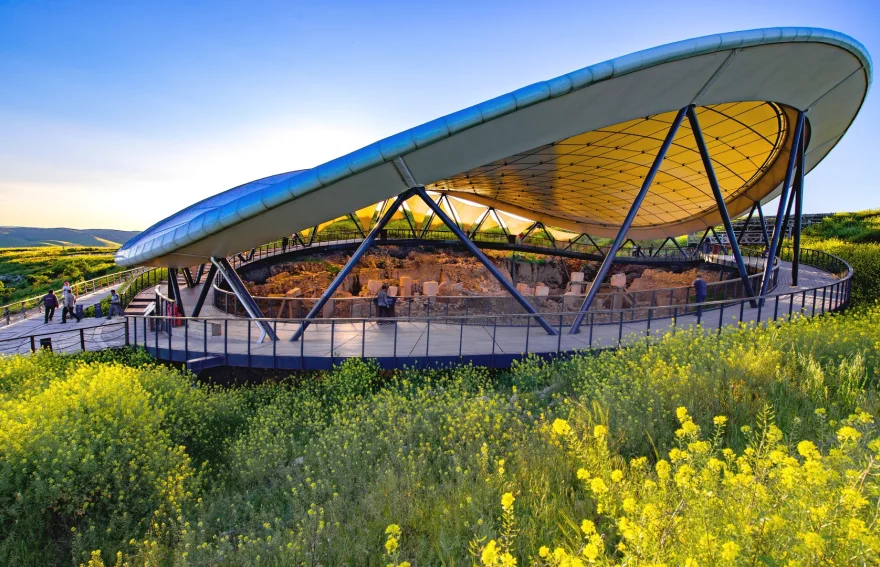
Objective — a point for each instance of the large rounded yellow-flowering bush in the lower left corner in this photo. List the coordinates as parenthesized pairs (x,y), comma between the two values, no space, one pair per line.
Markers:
(86,464)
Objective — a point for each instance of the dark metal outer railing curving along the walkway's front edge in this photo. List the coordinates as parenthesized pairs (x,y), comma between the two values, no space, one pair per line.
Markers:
(492,340)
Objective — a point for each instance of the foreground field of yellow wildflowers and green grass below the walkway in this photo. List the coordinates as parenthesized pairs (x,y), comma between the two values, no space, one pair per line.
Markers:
(750,447)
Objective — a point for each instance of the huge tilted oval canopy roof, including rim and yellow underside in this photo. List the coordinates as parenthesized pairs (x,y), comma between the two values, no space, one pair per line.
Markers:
(571,152)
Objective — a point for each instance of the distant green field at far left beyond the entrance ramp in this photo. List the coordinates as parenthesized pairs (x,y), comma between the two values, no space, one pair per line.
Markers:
(29,272)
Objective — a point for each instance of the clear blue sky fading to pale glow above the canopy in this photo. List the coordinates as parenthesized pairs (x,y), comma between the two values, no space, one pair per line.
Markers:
(118,114)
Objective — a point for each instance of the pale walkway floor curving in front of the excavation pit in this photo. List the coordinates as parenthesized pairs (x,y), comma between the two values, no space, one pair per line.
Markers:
(218,334)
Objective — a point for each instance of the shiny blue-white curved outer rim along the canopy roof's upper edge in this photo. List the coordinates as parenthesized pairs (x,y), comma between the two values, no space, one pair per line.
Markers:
(168,235)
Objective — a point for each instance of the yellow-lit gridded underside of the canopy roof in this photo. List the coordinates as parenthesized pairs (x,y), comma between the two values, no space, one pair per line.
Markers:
(594,177)
